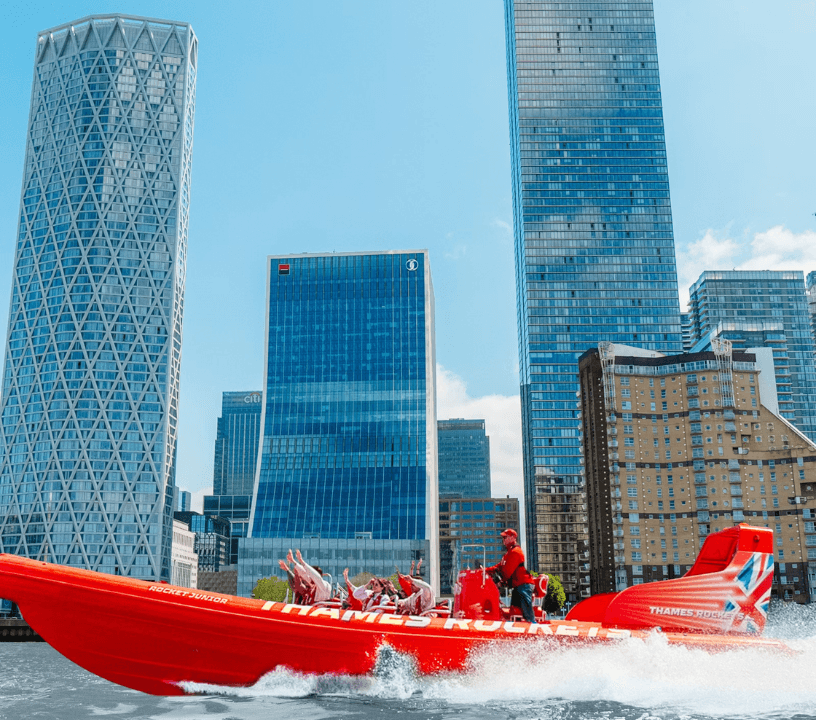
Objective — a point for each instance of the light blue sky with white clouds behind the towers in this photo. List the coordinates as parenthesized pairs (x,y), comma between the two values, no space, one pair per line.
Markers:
(334,125)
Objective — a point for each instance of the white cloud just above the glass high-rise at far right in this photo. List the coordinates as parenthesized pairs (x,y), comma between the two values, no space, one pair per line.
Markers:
(774,249)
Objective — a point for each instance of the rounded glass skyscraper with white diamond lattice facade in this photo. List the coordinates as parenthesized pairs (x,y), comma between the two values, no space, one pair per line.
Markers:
(91,379)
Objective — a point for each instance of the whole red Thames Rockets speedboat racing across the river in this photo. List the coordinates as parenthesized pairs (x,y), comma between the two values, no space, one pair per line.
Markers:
(153,637)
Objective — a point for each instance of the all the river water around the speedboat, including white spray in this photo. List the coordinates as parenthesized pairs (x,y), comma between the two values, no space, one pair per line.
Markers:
(634,679)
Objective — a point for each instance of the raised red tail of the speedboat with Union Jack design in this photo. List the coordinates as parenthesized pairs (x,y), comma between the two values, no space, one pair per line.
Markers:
(727,591)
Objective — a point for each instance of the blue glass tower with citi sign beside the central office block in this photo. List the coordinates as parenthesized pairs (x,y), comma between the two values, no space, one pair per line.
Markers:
(236,457)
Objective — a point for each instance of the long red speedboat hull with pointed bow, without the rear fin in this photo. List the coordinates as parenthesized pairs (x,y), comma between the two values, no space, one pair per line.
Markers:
(154,637)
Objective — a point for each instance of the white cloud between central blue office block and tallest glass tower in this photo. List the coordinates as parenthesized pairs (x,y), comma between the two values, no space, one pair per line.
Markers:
(502,416)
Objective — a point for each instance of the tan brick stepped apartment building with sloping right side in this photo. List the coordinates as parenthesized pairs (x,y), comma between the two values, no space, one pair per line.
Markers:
(677,447)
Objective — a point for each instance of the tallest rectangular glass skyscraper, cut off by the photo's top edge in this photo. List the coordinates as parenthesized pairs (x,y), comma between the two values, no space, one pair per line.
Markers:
(592,215)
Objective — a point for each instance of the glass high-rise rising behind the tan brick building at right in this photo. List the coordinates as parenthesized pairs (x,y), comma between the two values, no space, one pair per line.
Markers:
(766,308)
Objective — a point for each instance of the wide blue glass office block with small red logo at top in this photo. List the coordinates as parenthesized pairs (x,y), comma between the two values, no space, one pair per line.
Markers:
(348,468)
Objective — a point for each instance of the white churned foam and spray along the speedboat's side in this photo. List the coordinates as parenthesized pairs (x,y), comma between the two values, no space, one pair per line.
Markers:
(647,674)
